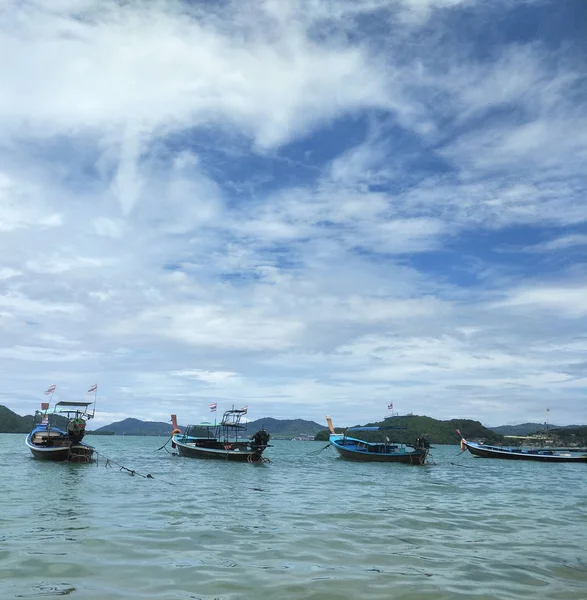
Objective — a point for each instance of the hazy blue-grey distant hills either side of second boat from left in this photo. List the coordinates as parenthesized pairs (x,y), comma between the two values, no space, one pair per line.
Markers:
(278,428)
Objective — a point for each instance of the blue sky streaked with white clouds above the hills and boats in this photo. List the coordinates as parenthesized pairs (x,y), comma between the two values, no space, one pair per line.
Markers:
(308,207)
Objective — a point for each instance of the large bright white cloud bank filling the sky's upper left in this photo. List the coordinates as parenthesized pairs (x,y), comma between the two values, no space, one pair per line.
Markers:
(98,72)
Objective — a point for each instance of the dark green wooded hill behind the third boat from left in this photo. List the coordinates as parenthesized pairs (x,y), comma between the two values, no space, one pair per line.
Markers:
(438,432)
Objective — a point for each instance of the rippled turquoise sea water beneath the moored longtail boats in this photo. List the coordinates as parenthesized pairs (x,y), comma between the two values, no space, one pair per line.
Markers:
(307,526)
